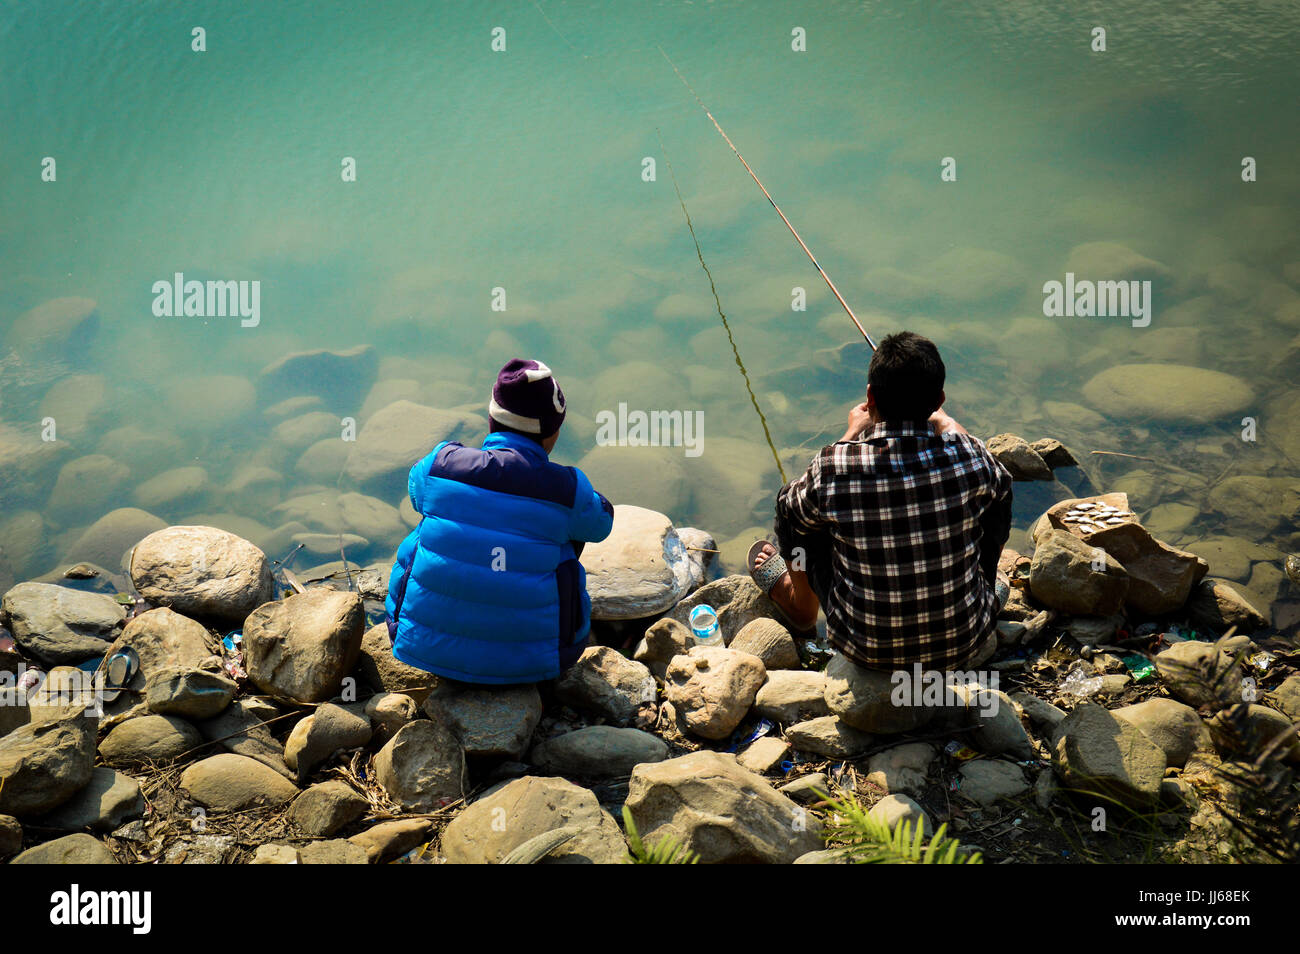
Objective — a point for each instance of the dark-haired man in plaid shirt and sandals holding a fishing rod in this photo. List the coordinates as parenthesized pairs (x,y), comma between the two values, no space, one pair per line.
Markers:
(896,528)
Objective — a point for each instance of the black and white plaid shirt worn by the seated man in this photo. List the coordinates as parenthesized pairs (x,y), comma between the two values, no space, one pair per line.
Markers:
(907,513)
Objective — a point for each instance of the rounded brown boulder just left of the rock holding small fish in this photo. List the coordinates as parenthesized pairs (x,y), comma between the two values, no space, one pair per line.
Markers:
(1074,578)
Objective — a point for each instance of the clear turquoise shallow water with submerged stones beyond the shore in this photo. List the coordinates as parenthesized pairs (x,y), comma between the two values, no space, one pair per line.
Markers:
(523,171)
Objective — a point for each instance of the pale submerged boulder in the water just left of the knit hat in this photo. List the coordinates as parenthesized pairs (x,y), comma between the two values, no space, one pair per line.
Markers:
(398,435)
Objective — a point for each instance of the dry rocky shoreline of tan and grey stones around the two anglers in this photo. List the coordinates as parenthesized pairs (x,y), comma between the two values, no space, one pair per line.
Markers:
(270,723)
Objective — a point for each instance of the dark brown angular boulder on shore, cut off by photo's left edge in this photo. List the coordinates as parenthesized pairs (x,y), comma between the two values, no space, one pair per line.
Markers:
(44,765)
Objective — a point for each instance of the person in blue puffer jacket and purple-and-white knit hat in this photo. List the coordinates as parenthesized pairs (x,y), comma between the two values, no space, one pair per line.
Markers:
(488,588)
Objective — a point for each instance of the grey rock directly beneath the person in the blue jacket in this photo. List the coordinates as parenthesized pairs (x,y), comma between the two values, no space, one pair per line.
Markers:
(489,721)
